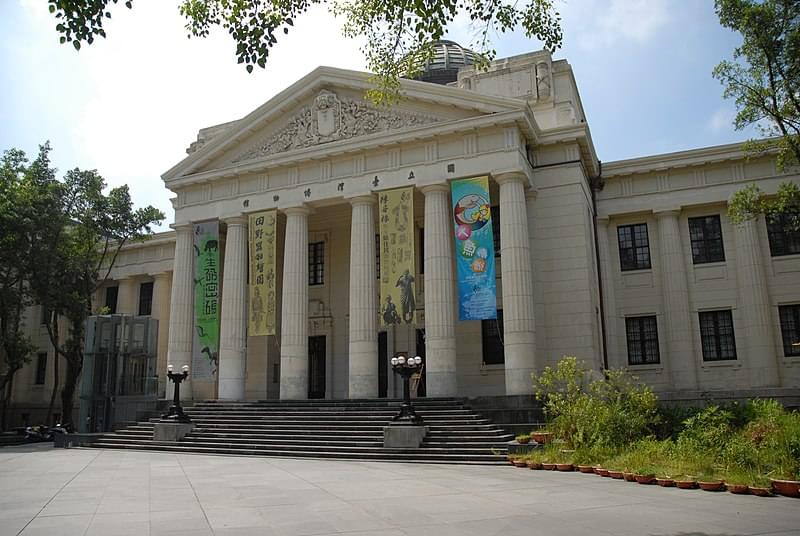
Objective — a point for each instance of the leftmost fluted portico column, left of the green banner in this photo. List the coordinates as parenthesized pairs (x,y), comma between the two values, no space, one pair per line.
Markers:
(181,312)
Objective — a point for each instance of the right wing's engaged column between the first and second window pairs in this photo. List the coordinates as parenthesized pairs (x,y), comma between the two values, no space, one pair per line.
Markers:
(680,361)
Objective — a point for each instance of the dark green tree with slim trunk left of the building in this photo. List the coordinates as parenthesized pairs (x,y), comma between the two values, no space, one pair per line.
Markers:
(73,237)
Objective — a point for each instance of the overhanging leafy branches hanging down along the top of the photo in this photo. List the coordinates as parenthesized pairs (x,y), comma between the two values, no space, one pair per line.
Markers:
(399,32)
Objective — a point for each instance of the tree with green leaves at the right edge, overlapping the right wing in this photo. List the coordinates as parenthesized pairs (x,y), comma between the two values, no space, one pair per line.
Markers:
(764,81)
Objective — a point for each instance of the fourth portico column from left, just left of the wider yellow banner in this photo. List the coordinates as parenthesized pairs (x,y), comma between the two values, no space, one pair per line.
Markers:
(363,331)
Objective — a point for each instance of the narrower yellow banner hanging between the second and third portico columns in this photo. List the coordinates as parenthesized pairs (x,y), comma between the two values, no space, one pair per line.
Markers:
(262,287)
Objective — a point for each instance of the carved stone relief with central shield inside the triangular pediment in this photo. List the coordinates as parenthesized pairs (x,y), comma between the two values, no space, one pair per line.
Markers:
(329,119)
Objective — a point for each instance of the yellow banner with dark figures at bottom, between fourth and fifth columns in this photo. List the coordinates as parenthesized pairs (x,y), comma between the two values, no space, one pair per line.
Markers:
(398,288)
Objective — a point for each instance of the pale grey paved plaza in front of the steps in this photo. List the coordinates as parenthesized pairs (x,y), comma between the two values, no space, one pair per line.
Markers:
(54,492)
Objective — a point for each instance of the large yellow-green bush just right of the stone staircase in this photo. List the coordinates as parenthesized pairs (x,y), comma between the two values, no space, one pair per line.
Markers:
(587,413)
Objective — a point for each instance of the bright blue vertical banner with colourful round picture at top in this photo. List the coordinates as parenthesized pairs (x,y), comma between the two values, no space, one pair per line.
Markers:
(475,265)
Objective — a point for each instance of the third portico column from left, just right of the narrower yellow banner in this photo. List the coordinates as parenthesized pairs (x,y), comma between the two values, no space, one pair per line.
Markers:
(294,310)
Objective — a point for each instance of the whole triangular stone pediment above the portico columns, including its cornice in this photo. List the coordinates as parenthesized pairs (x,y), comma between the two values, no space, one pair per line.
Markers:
(325,108)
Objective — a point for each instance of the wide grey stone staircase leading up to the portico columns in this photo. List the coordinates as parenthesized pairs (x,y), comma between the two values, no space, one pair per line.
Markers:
(340,429)
